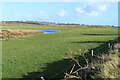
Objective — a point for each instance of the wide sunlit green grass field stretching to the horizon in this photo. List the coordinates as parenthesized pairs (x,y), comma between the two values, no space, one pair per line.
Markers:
(20,57)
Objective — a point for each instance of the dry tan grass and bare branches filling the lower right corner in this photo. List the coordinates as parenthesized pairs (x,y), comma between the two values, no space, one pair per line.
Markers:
(106,67)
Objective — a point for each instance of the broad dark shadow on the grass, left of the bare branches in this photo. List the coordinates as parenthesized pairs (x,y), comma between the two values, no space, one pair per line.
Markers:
(52,71)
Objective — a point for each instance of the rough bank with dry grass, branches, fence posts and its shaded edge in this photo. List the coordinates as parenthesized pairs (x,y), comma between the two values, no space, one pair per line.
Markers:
(101,64)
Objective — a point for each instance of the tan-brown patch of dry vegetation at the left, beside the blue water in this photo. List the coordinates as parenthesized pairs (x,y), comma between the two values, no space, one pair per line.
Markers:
(6,34)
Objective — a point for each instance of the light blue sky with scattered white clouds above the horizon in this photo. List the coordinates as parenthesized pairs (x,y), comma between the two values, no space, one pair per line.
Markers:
(95,13)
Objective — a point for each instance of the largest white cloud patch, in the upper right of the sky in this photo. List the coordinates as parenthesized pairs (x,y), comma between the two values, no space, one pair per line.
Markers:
(91,9)
